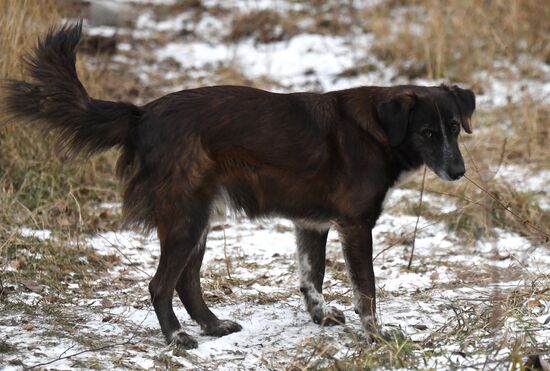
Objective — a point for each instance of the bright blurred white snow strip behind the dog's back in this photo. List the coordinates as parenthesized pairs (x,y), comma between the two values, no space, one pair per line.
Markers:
(292,62)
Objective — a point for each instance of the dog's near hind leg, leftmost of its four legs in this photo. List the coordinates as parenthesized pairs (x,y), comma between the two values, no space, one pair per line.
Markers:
(179,236)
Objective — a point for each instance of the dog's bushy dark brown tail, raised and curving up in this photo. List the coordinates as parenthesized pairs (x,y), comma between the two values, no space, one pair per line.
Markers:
(58,102)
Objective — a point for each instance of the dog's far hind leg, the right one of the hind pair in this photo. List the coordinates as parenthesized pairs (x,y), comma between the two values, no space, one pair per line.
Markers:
(190,293)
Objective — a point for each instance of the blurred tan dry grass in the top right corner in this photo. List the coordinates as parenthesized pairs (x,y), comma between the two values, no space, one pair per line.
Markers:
(455,39)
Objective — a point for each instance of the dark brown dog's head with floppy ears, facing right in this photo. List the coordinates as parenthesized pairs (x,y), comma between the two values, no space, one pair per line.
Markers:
(424,122)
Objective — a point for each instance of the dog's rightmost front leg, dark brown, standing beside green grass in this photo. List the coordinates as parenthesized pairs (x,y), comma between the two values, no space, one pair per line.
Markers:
(357,245)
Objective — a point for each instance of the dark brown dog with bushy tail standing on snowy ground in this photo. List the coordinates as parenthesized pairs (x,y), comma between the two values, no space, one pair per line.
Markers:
(321,160)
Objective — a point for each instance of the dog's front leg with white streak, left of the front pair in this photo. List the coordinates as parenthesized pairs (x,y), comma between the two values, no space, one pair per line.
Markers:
(311,261)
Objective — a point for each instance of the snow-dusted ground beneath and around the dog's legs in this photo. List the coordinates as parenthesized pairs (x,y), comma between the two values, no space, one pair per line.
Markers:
(257,285)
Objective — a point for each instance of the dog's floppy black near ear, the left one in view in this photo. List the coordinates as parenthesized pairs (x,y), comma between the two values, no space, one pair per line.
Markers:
(393,115)
